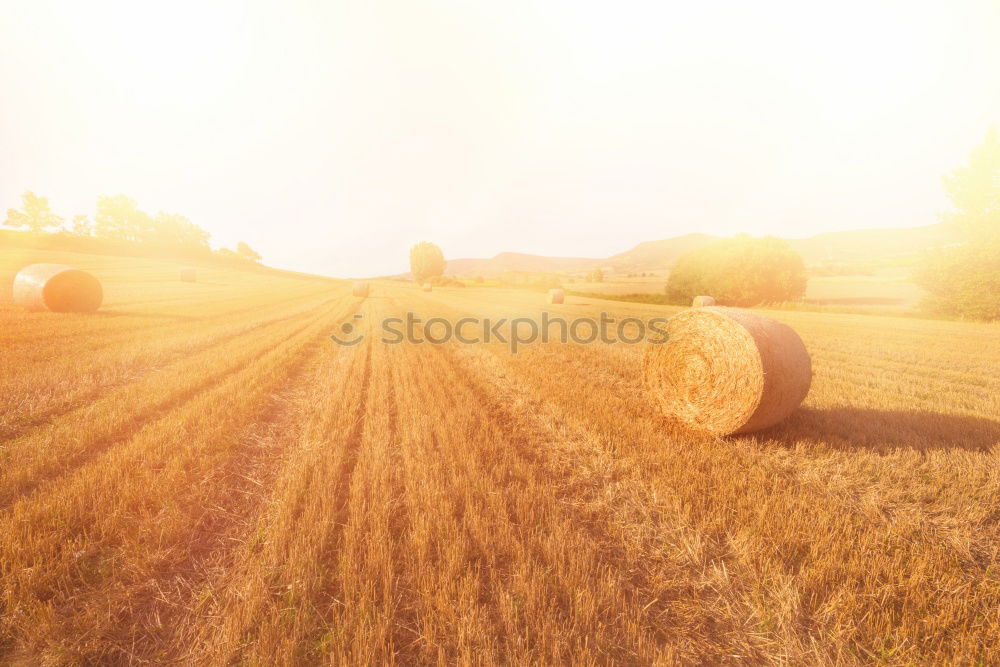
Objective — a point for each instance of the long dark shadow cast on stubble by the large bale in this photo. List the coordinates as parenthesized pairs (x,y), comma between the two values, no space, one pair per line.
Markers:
(883,430)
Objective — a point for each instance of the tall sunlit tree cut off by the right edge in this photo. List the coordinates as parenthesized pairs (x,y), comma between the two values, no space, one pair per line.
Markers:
(964,280)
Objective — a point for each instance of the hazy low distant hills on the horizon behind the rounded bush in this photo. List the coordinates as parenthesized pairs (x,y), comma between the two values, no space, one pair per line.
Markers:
(659,256)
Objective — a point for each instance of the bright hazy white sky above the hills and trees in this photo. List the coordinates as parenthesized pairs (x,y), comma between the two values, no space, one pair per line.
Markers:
(331,136)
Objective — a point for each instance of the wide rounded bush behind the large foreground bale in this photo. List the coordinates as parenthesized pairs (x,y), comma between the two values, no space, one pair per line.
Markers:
(741,271)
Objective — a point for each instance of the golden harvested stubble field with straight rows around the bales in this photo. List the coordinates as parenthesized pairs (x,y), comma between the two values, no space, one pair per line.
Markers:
(197,474)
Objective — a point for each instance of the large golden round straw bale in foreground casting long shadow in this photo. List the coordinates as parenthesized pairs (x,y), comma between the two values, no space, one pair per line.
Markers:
(726,370)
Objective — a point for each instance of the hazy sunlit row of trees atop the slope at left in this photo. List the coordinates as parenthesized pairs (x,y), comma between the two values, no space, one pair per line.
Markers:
(119,218)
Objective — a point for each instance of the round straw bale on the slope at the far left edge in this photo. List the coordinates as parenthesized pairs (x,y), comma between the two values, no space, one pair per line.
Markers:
(59,288)
